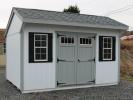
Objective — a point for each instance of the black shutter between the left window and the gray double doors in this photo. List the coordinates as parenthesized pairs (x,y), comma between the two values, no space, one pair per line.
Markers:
(50,45)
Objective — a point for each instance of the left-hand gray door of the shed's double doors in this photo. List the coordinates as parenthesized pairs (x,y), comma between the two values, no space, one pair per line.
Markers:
(66,60)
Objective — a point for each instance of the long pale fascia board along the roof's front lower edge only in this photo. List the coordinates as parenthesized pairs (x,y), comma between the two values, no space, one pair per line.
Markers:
(52,22)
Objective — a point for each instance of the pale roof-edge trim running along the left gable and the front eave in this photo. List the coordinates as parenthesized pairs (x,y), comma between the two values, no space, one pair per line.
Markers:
(53,22)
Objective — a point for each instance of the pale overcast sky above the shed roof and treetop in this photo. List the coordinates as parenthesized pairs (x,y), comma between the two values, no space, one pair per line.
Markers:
(120,10)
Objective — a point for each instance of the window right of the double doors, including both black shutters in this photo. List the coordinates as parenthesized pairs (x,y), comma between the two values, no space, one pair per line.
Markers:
(107,48)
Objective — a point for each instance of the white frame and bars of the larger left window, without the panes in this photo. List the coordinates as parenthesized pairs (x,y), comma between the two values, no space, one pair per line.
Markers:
(41,47)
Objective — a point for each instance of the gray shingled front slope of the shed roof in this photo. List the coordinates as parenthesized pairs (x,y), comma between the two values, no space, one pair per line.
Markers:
(67,17)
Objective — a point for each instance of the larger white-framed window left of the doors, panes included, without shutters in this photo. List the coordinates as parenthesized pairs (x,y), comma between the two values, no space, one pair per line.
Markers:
(41,47)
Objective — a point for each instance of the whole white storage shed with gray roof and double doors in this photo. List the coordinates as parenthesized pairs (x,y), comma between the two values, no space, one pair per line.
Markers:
(48,50)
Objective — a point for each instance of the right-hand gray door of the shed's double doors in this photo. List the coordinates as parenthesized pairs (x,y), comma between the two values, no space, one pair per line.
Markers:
(85,68)
